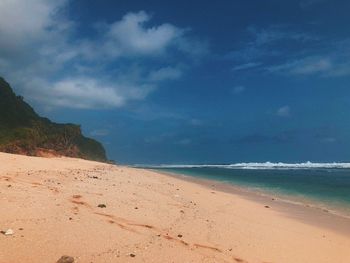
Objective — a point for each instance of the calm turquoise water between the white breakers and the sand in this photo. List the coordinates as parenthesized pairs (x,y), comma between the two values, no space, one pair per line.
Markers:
(329,187)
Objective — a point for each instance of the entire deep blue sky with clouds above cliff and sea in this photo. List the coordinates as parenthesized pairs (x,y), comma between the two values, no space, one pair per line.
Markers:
(183,82)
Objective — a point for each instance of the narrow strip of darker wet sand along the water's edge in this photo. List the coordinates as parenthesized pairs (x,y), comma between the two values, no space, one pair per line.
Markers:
(306,213)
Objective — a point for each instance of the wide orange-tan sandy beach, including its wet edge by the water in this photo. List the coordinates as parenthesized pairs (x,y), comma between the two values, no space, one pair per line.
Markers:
(98,212)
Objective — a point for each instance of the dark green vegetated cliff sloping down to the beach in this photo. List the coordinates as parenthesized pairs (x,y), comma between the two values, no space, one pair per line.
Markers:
(23,131)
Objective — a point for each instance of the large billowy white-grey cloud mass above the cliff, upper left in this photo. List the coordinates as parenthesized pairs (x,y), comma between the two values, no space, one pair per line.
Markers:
(45,58)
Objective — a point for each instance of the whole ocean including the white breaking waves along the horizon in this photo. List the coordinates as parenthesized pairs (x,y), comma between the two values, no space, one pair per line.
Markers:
(324,185)
